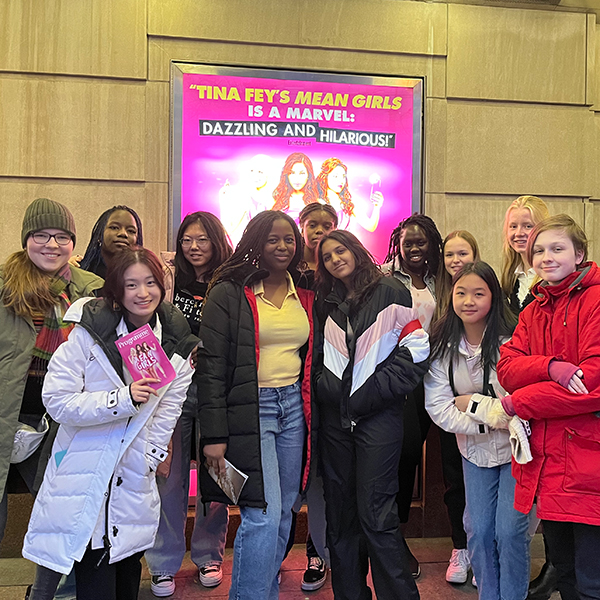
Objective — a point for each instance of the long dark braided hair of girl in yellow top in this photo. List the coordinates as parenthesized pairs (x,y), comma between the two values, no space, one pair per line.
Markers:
(251,245)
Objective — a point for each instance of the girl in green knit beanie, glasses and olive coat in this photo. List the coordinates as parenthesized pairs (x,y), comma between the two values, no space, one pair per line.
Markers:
(37,285)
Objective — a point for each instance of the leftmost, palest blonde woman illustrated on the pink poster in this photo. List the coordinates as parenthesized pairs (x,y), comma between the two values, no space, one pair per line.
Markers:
(239,203)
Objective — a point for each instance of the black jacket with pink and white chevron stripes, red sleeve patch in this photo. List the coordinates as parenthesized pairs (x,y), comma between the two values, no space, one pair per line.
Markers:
(370,358)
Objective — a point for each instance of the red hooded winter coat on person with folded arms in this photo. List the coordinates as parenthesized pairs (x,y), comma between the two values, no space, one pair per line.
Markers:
(562,323)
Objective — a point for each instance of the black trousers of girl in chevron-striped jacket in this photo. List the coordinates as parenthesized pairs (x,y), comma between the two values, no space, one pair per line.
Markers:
(360,478)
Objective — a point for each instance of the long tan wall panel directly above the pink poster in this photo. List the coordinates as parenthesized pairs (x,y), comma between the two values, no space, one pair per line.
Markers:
(381,25)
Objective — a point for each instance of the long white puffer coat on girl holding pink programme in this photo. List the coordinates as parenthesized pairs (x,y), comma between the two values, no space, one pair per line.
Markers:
(99,485)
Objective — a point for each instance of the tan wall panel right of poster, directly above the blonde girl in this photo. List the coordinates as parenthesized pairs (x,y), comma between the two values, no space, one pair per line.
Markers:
(514,148)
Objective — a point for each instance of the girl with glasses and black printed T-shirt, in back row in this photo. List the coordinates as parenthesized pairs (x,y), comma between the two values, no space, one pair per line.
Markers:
(202,247)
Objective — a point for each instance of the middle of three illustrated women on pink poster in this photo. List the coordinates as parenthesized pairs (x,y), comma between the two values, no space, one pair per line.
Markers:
(297,185)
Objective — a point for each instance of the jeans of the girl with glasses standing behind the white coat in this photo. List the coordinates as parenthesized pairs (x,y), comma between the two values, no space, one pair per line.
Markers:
(210,530)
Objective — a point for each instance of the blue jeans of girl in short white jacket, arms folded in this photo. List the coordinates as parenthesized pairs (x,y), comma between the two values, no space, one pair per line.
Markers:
(497,534)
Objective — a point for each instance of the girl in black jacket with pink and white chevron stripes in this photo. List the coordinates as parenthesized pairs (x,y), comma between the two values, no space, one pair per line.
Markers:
(372,355)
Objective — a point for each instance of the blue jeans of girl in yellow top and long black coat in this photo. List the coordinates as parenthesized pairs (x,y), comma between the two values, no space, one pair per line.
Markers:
(263,534)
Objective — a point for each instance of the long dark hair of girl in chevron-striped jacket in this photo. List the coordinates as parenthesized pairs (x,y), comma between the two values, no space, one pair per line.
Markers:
(366,272)
